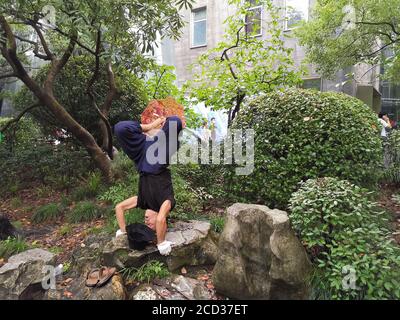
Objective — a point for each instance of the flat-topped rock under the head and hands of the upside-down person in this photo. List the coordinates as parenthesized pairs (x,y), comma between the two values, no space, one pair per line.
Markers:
(194,244)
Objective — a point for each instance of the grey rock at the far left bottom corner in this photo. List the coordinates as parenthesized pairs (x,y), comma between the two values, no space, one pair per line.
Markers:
(22,271)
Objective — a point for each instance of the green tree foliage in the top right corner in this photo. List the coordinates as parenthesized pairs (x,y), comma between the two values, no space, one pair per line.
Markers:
(332,44)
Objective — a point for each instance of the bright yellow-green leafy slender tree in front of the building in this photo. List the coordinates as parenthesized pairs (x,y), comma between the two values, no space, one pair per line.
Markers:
(251,65)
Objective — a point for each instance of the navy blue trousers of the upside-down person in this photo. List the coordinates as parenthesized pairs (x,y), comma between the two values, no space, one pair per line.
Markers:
(136,144)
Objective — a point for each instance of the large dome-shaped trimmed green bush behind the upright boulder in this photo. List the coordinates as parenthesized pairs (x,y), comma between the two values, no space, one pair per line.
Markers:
(304,134)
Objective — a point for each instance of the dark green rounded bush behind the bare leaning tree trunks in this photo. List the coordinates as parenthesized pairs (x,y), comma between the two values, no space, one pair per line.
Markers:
(130,102)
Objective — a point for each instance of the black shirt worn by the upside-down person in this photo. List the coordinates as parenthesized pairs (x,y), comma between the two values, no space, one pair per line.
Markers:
(154,189)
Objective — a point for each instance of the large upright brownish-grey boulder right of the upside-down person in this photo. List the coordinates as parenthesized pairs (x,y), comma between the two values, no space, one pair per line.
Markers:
(260,256)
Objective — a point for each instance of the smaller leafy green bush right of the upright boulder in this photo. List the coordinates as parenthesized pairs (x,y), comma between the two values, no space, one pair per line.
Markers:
(343,230)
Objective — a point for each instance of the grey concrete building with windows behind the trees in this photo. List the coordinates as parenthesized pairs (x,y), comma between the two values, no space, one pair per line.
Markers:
(204,29)
